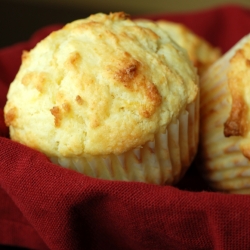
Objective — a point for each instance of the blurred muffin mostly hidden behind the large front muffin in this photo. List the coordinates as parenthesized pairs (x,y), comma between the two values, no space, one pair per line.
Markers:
(201,52)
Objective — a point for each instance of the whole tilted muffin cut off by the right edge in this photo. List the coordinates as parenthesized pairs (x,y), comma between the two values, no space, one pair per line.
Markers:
(225,121)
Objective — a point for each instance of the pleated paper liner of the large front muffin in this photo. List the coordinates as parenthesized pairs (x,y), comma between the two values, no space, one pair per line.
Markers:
(162,161)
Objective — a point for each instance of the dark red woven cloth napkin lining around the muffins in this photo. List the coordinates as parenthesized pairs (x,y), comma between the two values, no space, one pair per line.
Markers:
(44,206)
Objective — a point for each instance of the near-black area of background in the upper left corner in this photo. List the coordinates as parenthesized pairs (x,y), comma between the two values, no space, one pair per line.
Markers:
(18,21)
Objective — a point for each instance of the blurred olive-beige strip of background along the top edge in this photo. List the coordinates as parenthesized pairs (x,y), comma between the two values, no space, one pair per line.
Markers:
(138,6)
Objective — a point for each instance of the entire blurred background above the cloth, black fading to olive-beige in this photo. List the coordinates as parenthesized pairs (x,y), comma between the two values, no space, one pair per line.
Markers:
(19,19)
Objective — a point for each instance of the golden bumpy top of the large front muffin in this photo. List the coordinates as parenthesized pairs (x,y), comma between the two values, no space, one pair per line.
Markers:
(97,86)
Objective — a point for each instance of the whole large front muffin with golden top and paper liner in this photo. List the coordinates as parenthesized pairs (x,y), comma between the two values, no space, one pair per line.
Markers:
(110,99)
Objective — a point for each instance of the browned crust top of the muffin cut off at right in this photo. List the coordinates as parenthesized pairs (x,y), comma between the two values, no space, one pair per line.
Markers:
(237,123)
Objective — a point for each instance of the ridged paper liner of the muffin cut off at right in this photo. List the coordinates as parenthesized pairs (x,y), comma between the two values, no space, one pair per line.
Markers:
(223,164)
